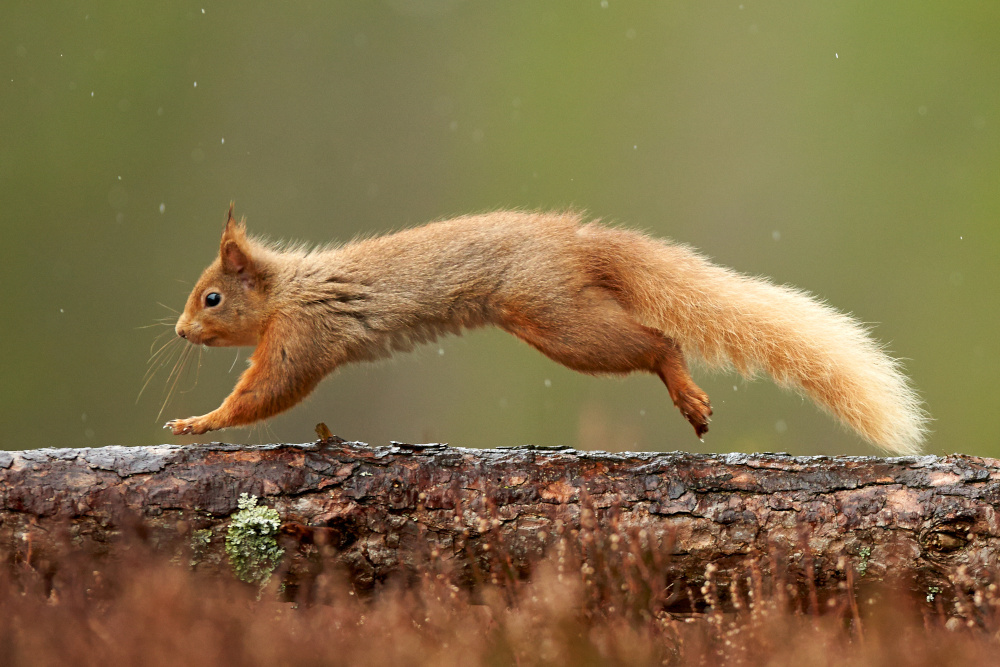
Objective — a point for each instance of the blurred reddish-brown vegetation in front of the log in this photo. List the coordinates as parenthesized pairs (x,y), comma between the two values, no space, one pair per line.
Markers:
(589,603)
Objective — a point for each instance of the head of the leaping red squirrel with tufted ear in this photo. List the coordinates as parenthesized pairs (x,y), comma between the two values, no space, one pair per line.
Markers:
(228,305)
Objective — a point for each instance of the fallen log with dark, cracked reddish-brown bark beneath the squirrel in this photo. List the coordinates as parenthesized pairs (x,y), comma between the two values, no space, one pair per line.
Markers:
(376,512)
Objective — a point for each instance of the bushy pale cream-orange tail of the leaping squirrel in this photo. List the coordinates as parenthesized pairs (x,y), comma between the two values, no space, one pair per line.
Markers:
(729,319)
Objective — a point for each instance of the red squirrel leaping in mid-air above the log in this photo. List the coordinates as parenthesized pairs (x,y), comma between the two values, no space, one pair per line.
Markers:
(594,298)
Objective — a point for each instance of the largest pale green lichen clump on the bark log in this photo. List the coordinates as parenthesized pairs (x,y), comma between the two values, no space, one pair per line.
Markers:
(251,541)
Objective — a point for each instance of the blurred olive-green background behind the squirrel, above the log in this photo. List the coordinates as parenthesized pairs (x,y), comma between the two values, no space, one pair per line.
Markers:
(849,148)
